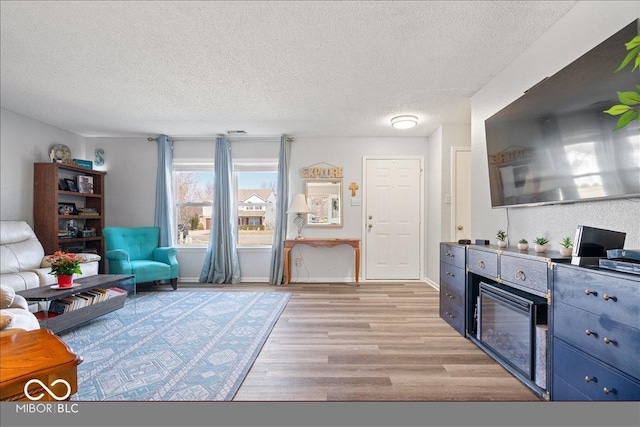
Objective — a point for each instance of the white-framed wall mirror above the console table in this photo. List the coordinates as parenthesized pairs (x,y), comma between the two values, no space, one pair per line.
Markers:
(324,198)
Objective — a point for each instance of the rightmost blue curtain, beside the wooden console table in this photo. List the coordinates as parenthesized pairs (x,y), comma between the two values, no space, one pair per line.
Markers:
(276,273)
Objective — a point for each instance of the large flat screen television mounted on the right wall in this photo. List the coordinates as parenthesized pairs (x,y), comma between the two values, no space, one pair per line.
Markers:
(555,144)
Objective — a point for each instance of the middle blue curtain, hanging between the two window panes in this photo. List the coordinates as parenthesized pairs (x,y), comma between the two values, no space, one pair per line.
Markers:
(221,263)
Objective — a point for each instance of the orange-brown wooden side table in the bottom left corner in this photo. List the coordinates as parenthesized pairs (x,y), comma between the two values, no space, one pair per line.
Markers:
(41,356)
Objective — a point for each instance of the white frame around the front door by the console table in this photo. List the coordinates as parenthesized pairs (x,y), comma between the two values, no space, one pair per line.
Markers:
(363,232)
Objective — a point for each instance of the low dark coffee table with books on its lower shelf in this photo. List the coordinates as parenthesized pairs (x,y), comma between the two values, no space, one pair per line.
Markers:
(62,322)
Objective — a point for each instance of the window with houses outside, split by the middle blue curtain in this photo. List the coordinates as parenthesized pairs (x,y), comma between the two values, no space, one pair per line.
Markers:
(256,200)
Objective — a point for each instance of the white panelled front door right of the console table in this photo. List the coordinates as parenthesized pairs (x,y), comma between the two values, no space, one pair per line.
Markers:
(393,216)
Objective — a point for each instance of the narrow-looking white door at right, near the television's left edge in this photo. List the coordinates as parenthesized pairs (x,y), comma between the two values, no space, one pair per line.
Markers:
(461,197)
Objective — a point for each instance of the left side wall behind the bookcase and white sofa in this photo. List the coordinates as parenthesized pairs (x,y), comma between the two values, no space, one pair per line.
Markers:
(23,142)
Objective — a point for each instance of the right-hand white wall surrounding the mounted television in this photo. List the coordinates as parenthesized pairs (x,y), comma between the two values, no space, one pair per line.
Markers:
(581,29)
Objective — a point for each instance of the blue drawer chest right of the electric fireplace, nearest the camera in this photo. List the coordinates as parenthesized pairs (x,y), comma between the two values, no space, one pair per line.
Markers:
(596,334)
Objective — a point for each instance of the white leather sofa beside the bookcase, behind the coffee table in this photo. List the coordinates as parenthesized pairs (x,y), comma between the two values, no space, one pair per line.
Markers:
(22,258)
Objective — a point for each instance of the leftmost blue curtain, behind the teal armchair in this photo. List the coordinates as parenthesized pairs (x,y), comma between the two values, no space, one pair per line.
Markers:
(164,215)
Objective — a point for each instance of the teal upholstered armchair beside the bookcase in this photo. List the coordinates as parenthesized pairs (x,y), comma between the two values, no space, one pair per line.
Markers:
(134,250)
